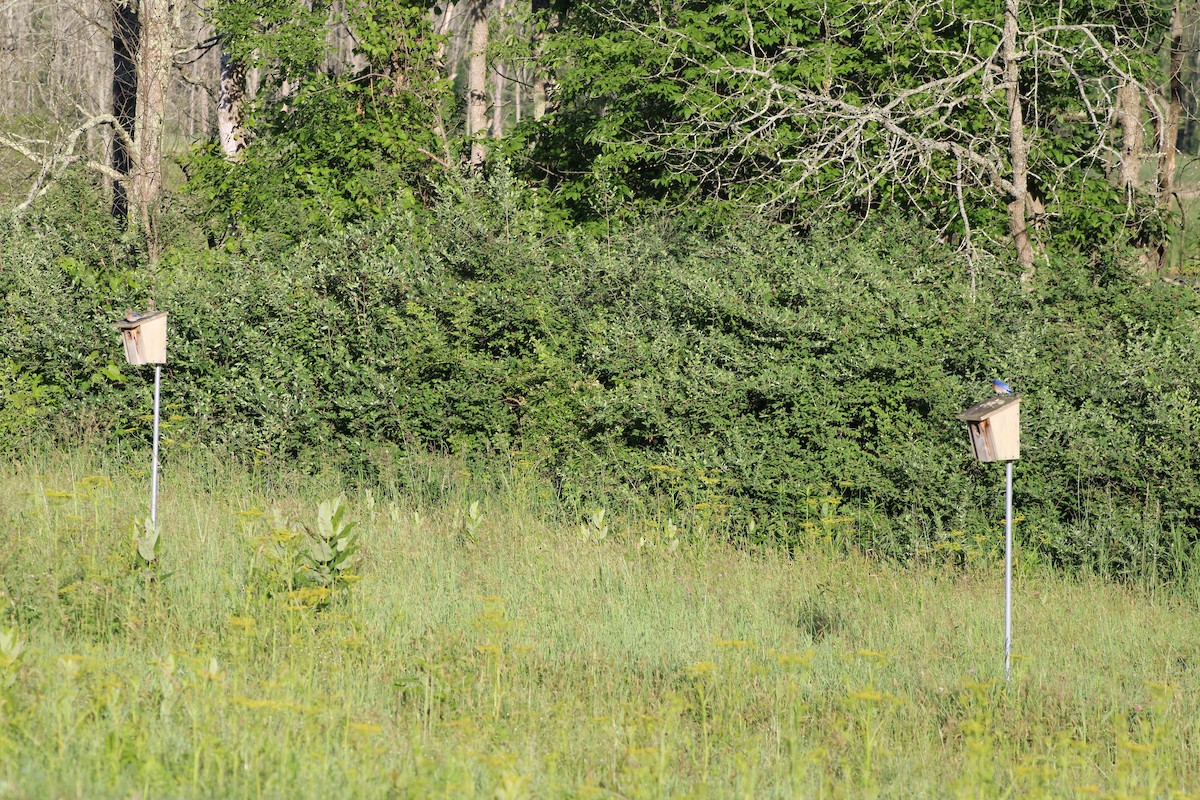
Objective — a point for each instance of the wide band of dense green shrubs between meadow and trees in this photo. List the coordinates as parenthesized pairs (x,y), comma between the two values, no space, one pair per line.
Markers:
(745,370)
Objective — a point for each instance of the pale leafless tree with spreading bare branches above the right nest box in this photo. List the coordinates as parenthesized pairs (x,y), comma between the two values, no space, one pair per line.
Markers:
(955,119)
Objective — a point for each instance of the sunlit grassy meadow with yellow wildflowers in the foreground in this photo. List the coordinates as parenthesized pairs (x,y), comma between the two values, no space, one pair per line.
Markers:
(501,655)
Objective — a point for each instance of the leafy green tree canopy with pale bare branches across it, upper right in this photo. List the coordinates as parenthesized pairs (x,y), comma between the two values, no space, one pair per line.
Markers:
(980,118)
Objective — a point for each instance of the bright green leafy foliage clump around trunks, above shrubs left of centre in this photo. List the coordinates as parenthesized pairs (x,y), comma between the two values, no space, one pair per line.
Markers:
(326,149)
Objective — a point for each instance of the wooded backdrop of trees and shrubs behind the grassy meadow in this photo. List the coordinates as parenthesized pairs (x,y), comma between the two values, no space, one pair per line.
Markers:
(740,262)
